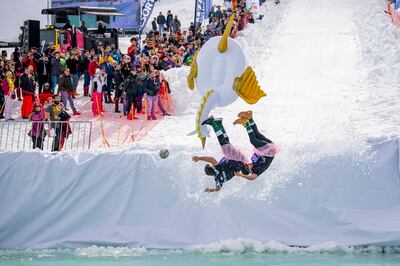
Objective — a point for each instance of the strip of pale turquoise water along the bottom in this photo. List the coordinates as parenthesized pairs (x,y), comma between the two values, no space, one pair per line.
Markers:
(176,258)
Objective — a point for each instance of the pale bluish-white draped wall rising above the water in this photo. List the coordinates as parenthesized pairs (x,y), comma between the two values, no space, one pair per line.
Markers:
(133,198)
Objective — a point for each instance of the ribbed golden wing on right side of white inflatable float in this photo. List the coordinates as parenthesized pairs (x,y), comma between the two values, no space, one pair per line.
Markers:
(247,87)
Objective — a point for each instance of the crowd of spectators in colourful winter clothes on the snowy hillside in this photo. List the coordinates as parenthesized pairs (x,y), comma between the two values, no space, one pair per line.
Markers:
(47,82)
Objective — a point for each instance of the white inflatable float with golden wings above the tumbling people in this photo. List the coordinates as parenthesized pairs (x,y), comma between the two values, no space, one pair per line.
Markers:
(220,74)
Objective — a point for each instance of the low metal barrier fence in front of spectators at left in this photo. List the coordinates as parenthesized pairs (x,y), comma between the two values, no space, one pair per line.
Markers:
(48,136)
